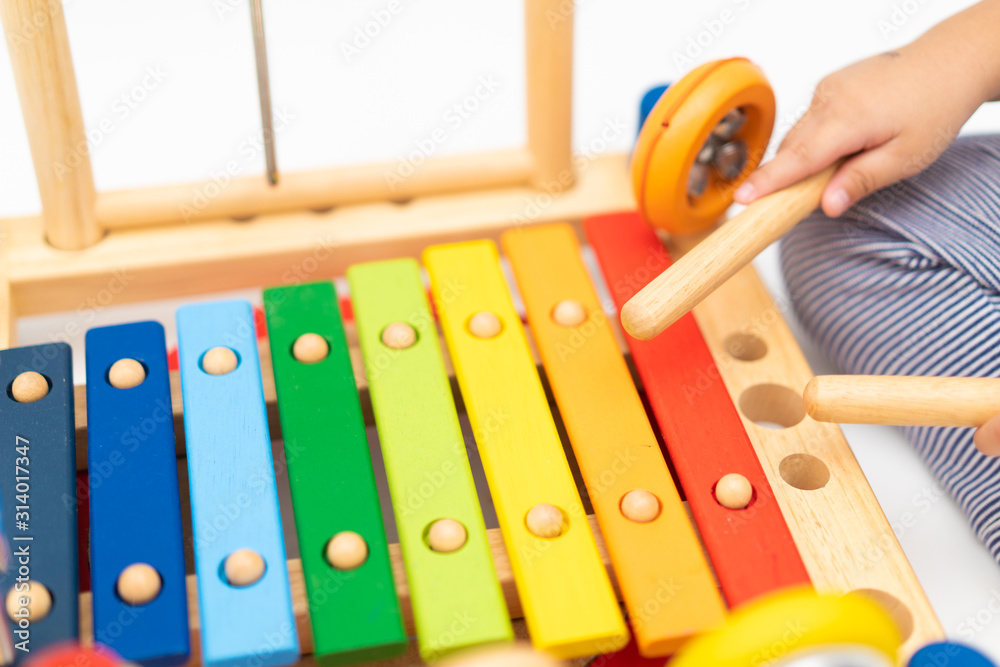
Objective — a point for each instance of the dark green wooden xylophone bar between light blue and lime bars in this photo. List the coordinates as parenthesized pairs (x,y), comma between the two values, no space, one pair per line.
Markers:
(354,613)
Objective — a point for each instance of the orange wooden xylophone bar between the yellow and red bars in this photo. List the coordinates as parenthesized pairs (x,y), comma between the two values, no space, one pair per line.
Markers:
(667,586)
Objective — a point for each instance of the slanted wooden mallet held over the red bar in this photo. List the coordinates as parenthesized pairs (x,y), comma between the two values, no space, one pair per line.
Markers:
(727,250)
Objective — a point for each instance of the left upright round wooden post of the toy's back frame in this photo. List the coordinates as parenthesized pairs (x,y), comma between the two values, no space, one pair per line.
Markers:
(46,86)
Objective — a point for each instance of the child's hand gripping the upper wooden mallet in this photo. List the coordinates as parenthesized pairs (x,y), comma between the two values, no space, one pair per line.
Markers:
(894,113)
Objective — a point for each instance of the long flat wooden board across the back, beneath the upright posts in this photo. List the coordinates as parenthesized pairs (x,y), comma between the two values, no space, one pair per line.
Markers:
(144,264)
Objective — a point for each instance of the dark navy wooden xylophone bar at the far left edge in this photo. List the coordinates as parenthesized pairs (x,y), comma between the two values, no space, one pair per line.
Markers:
(38,494)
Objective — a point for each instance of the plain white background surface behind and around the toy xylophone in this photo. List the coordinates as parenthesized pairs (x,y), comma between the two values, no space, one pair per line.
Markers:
(168,93)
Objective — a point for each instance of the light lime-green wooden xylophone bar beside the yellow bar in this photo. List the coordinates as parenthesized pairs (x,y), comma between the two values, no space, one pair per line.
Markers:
(457,600)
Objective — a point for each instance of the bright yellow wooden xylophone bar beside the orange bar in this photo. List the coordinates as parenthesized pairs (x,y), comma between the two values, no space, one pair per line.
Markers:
(569,605)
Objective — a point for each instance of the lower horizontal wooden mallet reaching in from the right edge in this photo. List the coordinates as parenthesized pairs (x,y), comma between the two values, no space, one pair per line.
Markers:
(902,400)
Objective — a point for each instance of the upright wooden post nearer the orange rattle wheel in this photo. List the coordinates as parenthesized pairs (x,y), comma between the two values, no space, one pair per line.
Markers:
(549,60)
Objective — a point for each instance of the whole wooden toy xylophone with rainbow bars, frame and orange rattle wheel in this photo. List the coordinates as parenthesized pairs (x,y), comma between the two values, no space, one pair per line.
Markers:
(680,476)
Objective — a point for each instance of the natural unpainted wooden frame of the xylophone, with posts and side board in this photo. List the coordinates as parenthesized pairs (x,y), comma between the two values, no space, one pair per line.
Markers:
(91,249)
